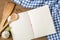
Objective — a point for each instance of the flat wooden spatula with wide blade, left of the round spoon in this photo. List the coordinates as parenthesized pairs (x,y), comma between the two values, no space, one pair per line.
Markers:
(7,11)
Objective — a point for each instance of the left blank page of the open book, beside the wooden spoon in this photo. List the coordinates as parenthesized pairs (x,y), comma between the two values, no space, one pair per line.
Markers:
(21,28)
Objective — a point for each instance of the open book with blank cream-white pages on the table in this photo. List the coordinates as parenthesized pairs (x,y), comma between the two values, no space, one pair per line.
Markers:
(33,24)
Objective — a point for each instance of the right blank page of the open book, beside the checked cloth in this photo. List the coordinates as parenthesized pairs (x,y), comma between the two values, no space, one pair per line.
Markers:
(42,22)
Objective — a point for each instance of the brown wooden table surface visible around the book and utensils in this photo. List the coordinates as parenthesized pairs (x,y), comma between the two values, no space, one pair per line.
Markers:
(17,9)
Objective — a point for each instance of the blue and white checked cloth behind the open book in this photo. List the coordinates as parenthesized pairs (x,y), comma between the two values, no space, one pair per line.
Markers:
(54,6)
